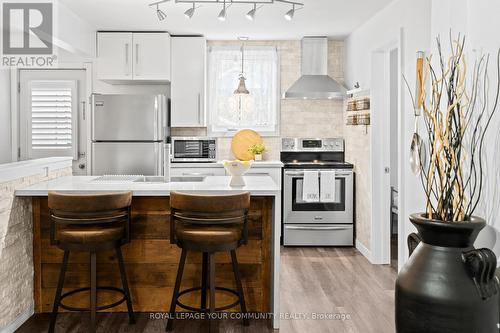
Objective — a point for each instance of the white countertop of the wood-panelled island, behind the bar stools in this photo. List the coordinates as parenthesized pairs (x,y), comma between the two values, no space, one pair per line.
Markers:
(256,185)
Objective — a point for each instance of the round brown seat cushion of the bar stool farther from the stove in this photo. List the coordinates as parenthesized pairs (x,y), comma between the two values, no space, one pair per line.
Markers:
(90,234)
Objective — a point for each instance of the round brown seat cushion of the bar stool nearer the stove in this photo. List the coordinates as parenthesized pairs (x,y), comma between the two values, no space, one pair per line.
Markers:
(210,234)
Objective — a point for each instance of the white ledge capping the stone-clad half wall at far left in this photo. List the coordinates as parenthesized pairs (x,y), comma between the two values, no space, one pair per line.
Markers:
(15,170)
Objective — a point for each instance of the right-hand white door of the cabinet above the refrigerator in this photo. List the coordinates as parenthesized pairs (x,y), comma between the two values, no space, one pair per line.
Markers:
(151,56)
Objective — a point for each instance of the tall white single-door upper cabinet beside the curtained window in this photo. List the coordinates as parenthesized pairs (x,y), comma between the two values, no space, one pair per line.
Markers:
(188,82)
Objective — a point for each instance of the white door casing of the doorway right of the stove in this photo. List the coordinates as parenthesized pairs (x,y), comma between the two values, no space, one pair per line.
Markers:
(380,83)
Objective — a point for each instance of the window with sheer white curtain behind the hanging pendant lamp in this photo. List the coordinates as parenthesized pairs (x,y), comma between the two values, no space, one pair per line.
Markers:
(260,109)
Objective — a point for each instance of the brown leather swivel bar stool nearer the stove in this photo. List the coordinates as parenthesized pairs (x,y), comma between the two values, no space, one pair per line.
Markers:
(208,224)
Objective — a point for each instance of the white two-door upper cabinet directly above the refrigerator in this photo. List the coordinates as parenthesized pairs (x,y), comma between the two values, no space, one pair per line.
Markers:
(133,56)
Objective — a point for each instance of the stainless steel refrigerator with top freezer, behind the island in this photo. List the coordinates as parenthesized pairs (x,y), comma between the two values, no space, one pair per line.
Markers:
(129,133)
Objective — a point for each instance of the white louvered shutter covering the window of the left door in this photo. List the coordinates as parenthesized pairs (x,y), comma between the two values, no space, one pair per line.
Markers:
(53,119)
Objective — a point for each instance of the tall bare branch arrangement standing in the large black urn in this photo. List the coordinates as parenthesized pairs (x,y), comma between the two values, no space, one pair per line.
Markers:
(457,114)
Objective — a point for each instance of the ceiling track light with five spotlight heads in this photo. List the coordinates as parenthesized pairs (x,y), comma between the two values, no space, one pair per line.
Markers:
(226,4)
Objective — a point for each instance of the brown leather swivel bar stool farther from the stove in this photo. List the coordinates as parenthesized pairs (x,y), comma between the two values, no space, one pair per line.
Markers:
(90,223)
